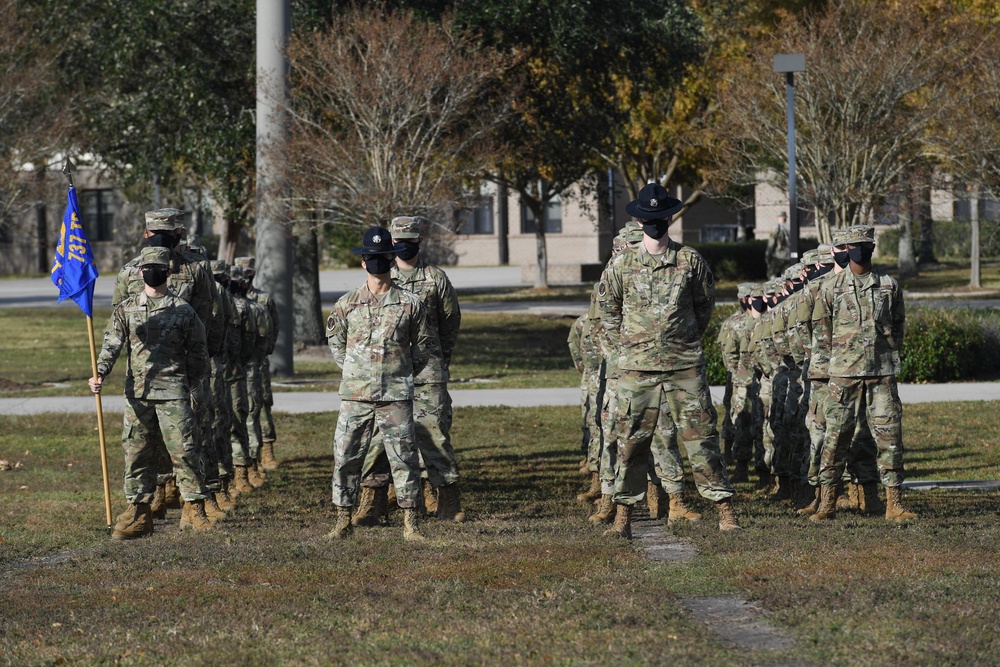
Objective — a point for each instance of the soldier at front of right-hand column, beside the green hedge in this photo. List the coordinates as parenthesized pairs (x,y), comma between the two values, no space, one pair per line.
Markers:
(858,320)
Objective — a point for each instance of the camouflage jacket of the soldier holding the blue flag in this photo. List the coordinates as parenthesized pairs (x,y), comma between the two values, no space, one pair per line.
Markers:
(165,344)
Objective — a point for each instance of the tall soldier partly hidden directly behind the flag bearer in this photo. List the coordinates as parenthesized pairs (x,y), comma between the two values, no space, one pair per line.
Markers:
(192,282)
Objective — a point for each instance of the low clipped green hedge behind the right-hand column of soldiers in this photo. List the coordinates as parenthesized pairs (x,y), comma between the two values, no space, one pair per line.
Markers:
(940,345)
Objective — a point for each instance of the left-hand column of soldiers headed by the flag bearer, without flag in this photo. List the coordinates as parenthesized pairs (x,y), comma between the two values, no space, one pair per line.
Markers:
(196,336)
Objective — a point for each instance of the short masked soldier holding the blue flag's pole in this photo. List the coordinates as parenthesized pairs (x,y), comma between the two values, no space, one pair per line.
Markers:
(164,342)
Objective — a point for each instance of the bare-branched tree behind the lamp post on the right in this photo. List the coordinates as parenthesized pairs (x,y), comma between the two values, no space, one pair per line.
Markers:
(873,90)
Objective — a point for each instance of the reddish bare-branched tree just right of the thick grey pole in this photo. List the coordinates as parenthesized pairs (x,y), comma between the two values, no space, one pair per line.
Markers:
(390,115)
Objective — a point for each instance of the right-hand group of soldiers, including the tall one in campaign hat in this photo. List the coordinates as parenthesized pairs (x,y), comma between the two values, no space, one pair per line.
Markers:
(811,403)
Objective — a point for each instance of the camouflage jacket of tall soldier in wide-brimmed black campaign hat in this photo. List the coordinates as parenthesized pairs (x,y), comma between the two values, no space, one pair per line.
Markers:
(654,309)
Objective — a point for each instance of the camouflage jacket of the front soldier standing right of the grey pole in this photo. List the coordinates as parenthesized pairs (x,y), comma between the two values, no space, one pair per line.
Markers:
(383,344)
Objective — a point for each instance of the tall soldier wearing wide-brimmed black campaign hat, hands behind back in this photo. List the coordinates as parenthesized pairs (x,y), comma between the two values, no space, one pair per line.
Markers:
(656,302)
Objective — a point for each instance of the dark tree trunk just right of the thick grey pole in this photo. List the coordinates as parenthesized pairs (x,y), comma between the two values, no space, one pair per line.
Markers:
(307,308)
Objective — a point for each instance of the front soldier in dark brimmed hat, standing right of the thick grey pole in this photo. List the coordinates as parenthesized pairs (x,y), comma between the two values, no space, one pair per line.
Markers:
(379,336)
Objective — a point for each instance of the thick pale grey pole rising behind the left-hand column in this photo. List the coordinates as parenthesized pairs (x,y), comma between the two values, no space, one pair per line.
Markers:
(274,248)
